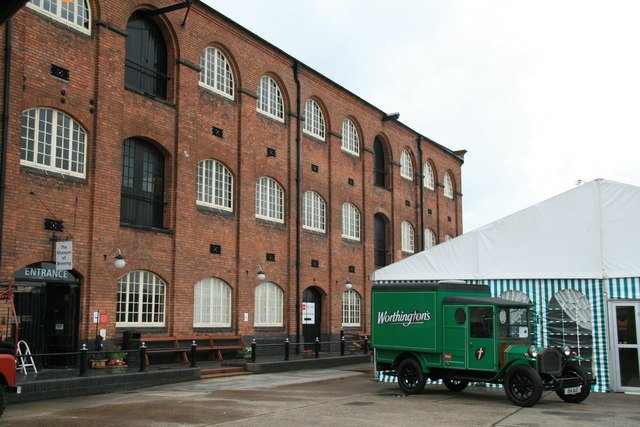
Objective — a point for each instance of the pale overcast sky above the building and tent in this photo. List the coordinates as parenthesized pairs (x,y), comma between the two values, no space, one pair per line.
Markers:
(541,94)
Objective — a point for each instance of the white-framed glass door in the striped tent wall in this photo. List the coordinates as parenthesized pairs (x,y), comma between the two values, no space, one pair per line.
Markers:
(625,337)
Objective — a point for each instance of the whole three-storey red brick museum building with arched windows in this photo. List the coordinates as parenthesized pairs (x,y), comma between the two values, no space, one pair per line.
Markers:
(201,154)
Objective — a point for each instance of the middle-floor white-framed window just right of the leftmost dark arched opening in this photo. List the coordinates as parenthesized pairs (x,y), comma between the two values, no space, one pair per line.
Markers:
(215,185)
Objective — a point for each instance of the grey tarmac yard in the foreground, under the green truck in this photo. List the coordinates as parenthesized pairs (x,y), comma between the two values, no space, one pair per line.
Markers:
(323,397)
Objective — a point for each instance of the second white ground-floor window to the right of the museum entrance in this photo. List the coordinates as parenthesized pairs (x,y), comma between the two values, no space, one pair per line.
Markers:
(212,303)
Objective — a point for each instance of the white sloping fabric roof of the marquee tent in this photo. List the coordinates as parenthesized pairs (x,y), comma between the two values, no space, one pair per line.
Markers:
(591,231)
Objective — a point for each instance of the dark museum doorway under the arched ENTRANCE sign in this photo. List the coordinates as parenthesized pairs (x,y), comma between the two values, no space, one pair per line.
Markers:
(47,303)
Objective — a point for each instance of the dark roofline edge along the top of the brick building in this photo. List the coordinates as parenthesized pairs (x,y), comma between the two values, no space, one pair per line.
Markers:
(322,76)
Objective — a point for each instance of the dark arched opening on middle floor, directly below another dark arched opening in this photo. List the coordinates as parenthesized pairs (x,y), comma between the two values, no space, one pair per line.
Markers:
(142,195)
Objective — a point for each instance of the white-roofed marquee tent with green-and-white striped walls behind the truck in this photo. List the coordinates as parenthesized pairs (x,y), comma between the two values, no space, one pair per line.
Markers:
(584,240)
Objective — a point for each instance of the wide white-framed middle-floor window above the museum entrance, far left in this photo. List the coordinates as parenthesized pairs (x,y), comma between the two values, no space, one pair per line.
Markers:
(53,141)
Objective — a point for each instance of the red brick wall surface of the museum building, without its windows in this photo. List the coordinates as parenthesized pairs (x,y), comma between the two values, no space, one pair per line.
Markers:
(181,128)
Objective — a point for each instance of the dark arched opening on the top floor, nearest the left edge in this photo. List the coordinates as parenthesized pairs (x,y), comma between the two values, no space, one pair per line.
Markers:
(146,57)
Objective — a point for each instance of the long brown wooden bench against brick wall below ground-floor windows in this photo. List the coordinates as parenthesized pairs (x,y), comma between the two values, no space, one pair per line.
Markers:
(181,346)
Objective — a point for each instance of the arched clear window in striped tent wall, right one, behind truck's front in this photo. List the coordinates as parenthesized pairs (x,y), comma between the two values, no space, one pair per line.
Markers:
(569,323)
